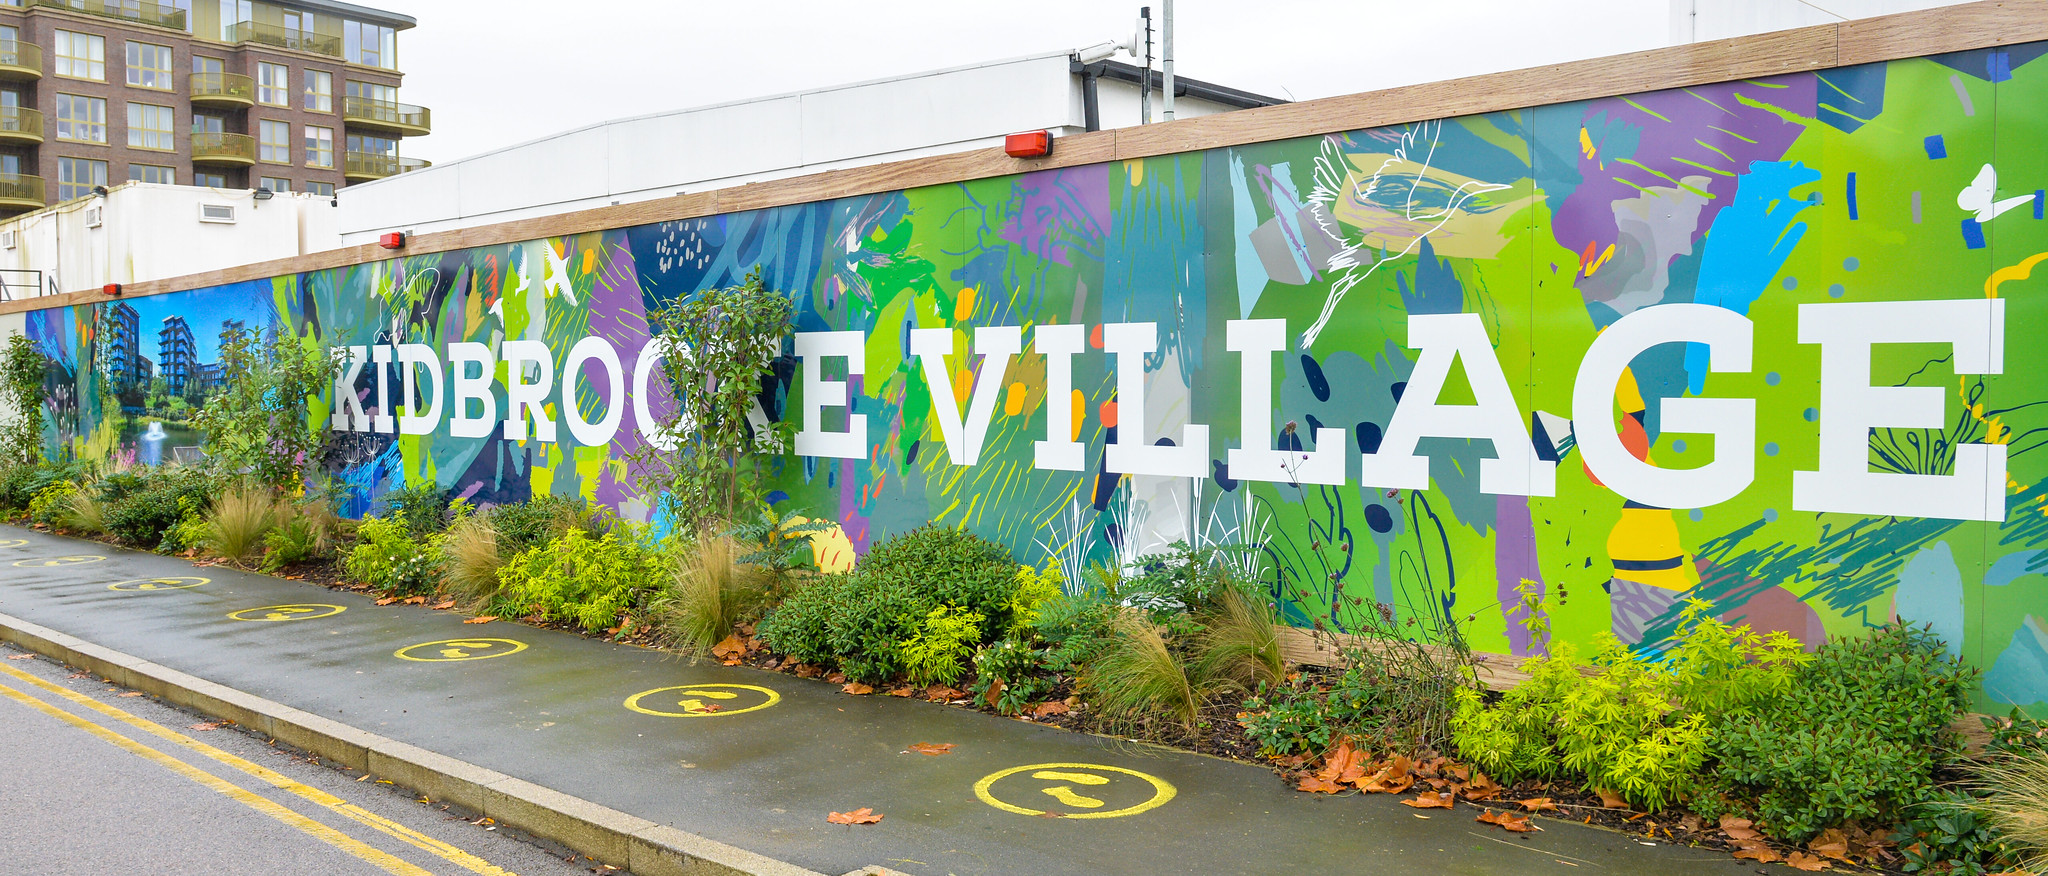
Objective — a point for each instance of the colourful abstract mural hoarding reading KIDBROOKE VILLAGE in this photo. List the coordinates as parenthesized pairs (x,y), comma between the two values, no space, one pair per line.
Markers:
(1758,343)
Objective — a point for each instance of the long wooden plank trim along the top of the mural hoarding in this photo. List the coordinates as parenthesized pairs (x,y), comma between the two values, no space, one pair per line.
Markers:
(1773,54)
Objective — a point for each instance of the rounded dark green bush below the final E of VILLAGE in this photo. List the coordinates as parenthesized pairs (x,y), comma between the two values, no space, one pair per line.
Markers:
(1857,736)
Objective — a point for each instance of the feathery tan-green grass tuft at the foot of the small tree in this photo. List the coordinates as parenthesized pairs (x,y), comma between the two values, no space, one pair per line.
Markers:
(710,595)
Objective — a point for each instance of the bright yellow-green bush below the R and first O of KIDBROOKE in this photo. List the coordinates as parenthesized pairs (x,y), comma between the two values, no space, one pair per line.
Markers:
(579,578)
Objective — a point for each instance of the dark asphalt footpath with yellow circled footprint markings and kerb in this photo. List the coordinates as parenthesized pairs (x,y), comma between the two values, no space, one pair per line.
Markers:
(613,750)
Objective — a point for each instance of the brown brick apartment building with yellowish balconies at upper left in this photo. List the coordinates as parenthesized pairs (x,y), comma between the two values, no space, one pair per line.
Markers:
(290,97)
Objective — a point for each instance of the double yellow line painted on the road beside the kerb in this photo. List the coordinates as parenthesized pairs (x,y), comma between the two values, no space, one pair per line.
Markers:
(243,795)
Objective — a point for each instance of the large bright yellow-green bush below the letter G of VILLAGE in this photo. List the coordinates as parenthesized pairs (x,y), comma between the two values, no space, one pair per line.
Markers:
(1635,728)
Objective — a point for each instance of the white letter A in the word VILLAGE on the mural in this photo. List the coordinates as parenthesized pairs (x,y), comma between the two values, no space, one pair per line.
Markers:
(1447,339)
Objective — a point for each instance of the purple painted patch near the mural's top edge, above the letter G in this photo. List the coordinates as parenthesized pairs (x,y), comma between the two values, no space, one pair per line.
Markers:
(1707,126)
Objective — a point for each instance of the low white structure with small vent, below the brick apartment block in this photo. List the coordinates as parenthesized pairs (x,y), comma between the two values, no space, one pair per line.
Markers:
(151,232)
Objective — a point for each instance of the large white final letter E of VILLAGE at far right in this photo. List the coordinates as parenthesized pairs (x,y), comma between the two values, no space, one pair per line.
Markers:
(1850,408)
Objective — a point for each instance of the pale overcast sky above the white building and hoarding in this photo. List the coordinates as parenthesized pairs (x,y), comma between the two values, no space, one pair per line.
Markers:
(501,73)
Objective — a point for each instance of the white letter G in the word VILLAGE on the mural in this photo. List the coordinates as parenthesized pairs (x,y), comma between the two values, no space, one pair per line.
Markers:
(1734,423)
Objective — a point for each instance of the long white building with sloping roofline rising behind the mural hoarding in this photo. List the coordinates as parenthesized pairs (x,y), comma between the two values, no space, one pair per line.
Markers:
(734,144)
